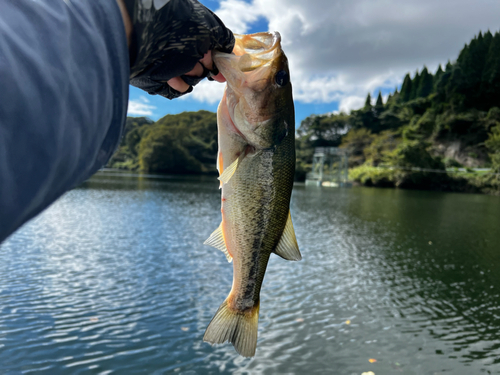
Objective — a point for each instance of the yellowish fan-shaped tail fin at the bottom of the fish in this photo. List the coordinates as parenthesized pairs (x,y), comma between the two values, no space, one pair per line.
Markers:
(239,328)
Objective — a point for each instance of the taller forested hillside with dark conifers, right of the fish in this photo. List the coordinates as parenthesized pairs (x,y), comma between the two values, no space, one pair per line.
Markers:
(441,120)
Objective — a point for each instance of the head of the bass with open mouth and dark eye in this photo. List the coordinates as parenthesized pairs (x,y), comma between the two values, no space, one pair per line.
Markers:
(258,92)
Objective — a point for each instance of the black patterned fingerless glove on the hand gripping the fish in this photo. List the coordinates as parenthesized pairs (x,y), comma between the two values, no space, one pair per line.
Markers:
(169,41)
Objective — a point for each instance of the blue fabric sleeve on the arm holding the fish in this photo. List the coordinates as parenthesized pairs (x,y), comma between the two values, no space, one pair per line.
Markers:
(64,73)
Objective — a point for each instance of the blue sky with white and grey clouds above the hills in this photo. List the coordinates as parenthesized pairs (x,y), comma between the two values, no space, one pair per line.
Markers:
(338,50)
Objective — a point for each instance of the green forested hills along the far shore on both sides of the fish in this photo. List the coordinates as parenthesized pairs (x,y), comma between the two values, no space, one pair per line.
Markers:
(436,122)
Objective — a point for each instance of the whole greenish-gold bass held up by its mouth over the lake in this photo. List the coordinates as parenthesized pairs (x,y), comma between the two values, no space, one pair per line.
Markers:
(256,164)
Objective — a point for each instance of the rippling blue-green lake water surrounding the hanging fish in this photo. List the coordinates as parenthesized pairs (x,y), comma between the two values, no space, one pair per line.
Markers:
(114,278)
